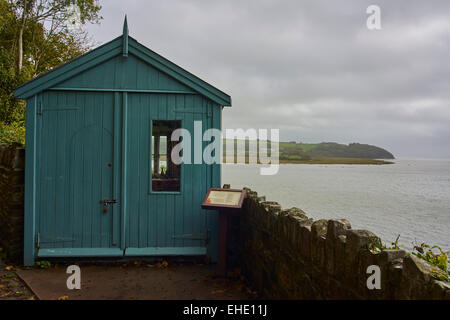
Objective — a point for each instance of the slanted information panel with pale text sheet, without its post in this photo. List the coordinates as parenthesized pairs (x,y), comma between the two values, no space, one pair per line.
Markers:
(217,198)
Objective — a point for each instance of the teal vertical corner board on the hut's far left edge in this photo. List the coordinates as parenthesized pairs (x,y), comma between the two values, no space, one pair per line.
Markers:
(30,181)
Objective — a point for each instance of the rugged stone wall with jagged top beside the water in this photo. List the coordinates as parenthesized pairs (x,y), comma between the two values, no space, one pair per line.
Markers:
(285,255)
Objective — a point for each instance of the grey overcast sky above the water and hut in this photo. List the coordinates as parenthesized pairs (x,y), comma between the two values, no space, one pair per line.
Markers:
(310,68)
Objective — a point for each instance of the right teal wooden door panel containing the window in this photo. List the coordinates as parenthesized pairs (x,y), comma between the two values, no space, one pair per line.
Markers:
(163,208)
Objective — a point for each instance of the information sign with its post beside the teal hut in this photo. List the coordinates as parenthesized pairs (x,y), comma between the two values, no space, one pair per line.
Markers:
(226,201)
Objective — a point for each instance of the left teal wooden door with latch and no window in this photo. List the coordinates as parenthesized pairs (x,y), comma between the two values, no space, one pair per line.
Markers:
(78,214)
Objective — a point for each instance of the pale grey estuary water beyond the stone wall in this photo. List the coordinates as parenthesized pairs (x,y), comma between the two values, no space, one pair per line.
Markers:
(410,198)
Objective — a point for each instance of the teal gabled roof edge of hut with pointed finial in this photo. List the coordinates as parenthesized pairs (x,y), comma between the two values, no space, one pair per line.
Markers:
(122,45)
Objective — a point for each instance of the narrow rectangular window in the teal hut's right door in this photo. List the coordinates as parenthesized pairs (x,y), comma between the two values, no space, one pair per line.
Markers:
(165,174)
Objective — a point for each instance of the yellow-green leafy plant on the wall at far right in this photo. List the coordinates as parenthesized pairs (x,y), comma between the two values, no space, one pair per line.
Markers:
(438,258)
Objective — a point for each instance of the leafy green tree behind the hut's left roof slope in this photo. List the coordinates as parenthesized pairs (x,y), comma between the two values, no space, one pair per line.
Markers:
(35,38)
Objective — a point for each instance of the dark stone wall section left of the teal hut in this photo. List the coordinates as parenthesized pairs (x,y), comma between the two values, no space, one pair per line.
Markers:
(12,185)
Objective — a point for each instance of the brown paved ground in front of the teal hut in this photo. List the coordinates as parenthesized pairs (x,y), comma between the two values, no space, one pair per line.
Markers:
(134,280)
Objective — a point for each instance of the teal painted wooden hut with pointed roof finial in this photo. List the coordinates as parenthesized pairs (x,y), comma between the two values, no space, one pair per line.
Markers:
(99,180)
